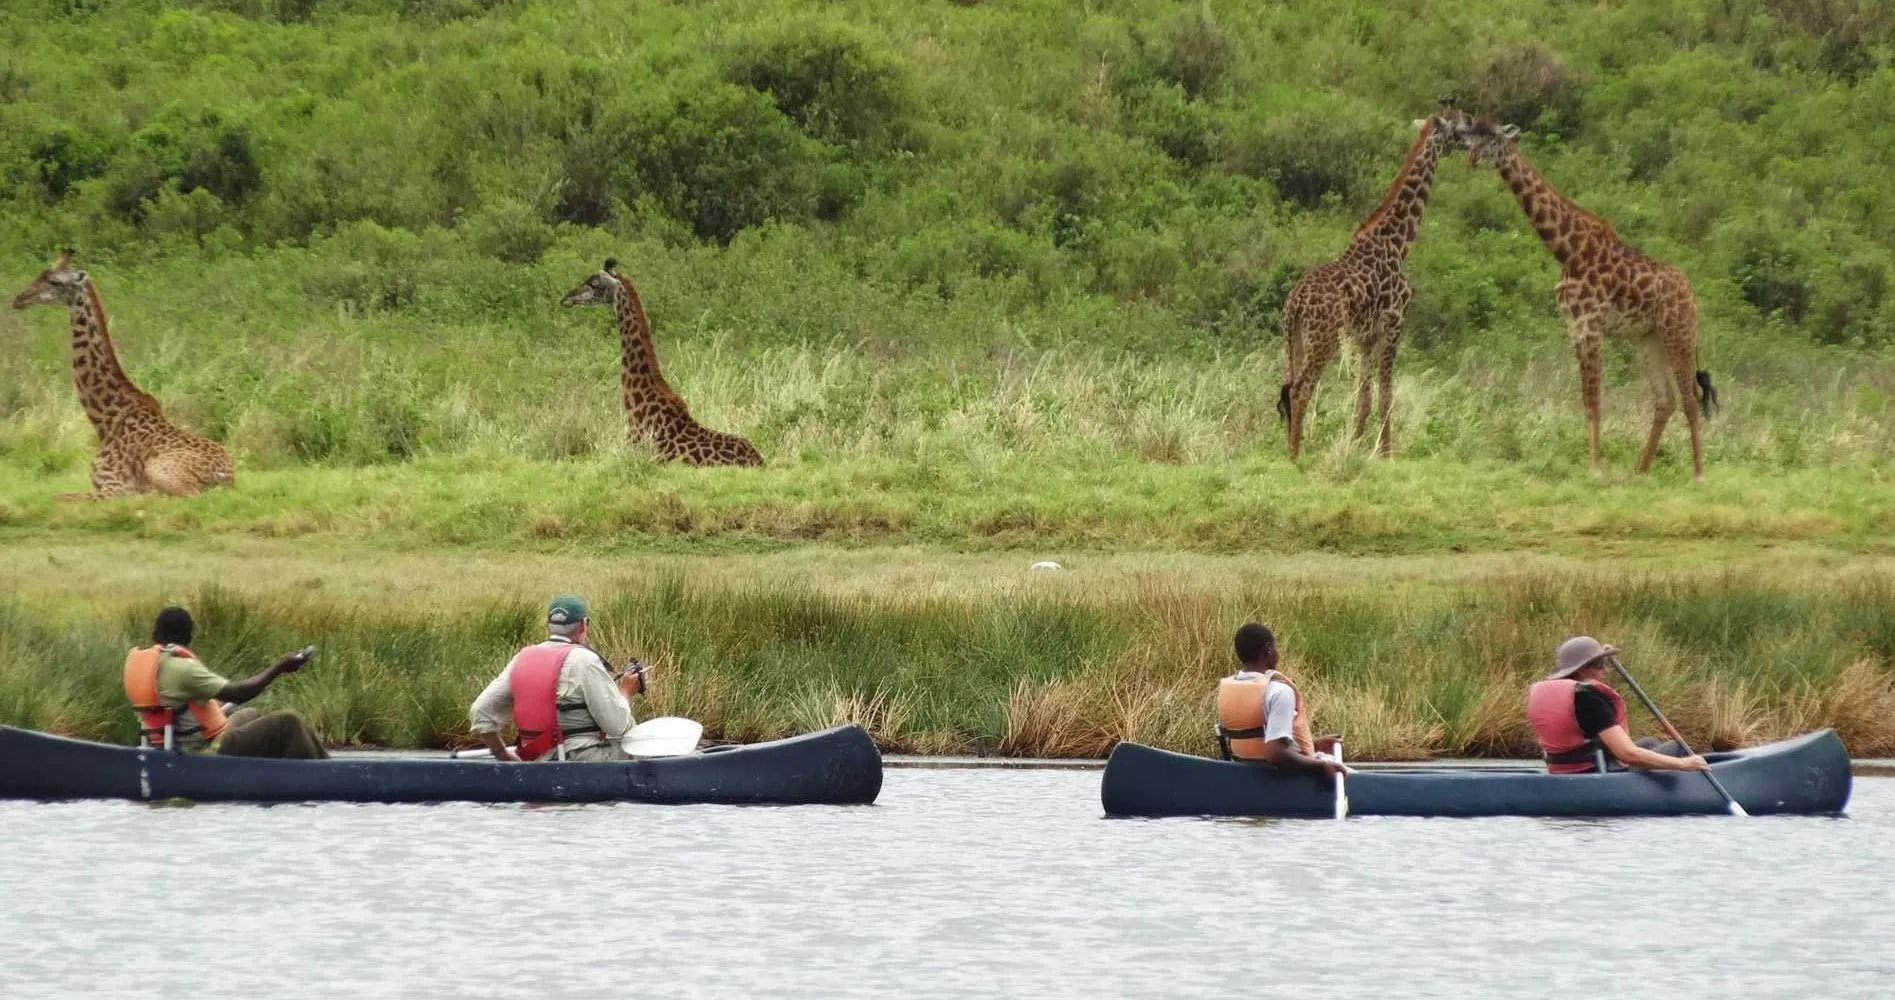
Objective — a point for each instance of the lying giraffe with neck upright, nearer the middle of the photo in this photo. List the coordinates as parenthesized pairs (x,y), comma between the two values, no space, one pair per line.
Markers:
(655,412)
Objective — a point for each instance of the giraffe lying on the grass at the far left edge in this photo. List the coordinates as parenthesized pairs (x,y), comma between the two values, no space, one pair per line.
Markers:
(139,450)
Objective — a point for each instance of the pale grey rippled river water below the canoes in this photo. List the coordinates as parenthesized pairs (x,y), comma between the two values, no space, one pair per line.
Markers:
(960,884)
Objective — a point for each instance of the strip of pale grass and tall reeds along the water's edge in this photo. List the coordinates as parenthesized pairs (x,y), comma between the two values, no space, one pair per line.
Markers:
(1403,662)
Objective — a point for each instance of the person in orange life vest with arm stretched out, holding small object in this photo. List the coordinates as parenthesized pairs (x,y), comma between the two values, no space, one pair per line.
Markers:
(171,688)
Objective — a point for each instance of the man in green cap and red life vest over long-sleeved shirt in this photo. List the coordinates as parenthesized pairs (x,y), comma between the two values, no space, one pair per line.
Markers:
(560,696)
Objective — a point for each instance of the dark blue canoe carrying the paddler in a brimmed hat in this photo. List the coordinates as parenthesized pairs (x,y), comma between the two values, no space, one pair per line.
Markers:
(1807,774)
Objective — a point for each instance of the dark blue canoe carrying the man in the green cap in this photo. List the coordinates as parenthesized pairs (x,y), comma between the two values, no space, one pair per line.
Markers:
(831,768)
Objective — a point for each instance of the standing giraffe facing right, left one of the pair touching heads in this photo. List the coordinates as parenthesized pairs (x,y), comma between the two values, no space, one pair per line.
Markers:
(1362,295)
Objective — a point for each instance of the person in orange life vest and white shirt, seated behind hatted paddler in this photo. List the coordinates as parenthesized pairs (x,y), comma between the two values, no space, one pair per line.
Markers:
(1261,715)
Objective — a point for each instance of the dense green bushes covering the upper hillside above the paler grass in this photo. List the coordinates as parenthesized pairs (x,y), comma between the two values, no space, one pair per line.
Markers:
(1183,160)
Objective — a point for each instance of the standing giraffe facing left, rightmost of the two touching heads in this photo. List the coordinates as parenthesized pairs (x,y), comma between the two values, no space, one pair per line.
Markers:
(1610,291)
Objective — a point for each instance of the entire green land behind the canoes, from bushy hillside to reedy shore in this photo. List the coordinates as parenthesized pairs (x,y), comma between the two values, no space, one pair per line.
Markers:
(986,285)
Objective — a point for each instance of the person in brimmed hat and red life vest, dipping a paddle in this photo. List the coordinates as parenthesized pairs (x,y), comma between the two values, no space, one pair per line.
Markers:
(1581,721)
